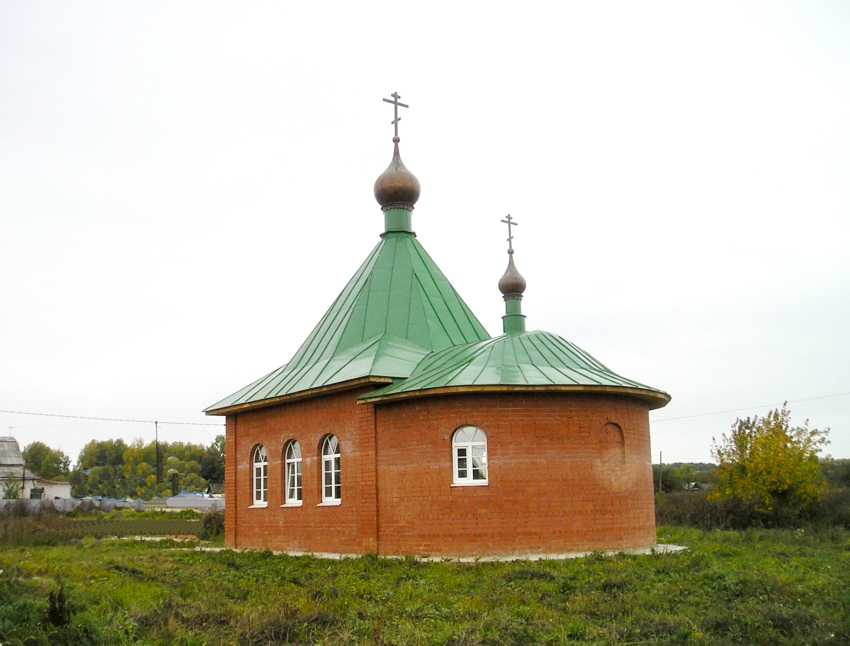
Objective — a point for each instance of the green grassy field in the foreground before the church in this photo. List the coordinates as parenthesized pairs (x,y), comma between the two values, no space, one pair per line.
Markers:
(748,587)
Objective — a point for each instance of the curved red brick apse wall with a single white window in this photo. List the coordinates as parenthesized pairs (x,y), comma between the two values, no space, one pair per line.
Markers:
(560,480)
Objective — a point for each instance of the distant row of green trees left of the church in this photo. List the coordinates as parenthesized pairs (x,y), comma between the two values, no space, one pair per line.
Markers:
(114,469)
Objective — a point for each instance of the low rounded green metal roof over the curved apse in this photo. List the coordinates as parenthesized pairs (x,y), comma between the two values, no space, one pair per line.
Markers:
(527,360)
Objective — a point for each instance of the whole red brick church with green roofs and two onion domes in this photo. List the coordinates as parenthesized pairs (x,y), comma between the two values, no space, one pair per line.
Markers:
(402,427)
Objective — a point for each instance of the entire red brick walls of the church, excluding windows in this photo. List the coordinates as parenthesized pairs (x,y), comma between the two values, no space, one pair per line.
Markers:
(567,472)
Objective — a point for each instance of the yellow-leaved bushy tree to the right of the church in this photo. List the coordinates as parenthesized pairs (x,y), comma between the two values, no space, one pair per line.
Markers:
(769,470)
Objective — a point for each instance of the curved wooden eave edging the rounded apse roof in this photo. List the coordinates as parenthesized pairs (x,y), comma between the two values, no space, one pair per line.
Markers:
(655,398)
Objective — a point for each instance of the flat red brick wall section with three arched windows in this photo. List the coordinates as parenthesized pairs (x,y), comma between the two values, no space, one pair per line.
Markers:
(347,528)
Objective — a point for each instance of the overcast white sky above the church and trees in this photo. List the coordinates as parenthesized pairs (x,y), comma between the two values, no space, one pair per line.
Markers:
(186,187)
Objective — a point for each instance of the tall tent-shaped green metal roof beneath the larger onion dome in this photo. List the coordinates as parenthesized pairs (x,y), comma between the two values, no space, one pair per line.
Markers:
(397,308)
